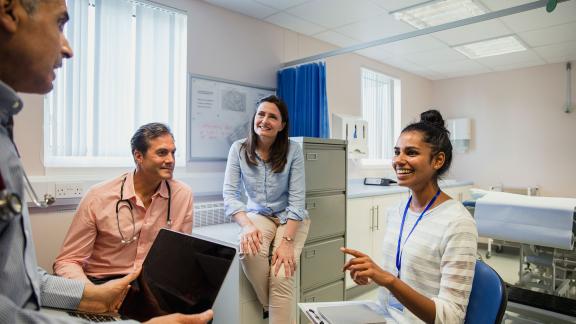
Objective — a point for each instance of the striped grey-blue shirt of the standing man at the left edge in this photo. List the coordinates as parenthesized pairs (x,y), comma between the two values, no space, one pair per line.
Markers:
(23,286)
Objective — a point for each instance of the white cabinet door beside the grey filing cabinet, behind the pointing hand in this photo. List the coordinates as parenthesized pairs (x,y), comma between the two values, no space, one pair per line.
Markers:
(358,228)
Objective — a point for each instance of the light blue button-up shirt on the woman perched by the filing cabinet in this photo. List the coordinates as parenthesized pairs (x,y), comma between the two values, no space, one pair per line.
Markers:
(280,194)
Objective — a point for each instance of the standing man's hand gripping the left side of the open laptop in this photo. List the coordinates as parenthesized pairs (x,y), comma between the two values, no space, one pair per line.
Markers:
(106,298)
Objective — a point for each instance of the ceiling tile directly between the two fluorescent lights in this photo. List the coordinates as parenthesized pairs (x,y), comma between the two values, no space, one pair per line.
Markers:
(471,33)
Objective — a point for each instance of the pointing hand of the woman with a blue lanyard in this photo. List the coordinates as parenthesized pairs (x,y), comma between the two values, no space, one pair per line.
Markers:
(363,269)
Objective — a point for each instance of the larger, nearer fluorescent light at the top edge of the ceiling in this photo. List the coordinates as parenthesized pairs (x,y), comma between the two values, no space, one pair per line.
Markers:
(434,13)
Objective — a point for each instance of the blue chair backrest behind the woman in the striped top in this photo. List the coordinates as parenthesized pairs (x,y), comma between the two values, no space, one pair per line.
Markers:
(488,298)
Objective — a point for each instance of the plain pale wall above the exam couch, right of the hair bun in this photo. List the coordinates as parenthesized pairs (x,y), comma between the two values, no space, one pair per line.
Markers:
(521,134)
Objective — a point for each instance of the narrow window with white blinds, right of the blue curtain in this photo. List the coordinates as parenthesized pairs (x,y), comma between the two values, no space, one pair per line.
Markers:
(381,108)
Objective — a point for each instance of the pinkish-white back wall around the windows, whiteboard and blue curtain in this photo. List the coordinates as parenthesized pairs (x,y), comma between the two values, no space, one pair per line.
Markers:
(226,45)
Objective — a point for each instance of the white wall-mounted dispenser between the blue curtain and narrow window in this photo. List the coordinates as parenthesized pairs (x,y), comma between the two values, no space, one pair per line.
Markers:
(355,131)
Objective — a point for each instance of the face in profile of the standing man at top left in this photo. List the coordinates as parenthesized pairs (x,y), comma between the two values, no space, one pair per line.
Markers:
(36,44)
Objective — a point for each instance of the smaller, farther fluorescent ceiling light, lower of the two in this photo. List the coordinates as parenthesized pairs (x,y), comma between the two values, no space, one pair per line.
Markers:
(491,47)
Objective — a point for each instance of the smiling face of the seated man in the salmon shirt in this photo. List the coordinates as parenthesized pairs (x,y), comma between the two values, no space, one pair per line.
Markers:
(159,161)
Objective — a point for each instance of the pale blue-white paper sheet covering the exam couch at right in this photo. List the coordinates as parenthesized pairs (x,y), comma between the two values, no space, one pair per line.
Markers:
(544,221)
